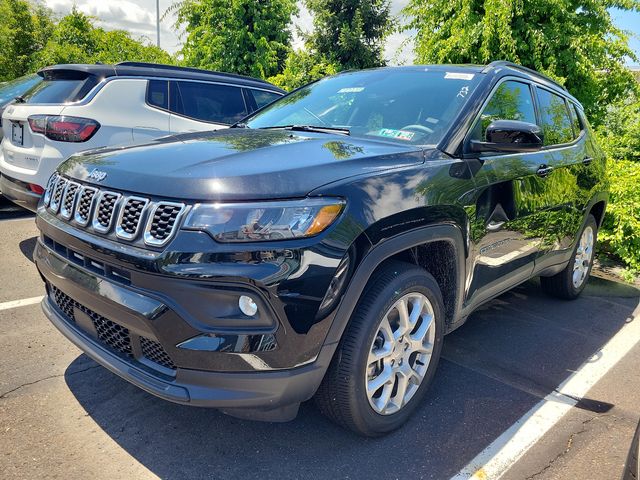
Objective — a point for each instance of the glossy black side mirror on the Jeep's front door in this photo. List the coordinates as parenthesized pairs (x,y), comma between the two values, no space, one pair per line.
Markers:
(510,136)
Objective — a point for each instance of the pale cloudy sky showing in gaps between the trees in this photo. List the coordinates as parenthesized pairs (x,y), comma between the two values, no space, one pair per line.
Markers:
(139,18)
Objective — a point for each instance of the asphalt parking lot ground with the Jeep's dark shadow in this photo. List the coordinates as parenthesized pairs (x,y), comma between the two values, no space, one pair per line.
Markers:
(64,416)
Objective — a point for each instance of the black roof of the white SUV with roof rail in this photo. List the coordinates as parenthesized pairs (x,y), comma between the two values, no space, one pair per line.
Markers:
(140,69)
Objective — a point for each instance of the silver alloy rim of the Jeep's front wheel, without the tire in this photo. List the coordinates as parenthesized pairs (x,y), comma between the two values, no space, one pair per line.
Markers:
(400,353)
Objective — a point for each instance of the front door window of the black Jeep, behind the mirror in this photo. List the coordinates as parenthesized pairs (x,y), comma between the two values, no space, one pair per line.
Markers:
(511,101)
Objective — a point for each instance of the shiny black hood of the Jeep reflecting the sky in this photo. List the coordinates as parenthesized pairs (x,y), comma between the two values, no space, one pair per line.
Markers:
(238,164)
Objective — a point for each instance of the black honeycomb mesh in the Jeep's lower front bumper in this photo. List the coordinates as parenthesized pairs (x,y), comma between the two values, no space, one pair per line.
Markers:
(111,334)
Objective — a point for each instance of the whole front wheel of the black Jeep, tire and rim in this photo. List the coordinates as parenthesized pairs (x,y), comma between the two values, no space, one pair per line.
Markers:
(343,394)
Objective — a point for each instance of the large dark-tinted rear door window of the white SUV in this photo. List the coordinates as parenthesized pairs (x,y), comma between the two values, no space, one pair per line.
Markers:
(208,102)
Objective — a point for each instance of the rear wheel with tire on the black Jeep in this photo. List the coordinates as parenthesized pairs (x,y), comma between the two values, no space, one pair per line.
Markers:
(563,284)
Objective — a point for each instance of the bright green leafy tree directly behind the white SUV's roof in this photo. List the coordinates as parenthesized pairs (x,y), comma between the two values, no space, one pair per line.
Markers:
(249,37)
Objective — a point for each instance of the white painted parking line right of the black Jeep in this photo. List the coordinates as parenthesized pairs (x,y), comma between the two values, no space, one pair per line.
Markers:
(509,447)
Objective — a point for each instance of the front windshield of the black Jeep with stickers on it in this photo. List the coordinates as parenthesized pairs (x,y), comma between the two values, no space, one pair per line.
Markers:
(403,105)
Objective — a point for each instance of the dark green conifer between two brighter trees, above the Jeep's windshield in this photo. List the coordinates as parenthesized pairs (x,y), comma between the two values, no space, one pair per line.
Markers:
(350,33)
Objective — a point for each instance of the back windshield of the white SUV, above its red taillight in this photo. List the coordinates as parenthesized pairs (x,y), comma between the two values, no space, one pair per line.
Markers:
(64,87)
